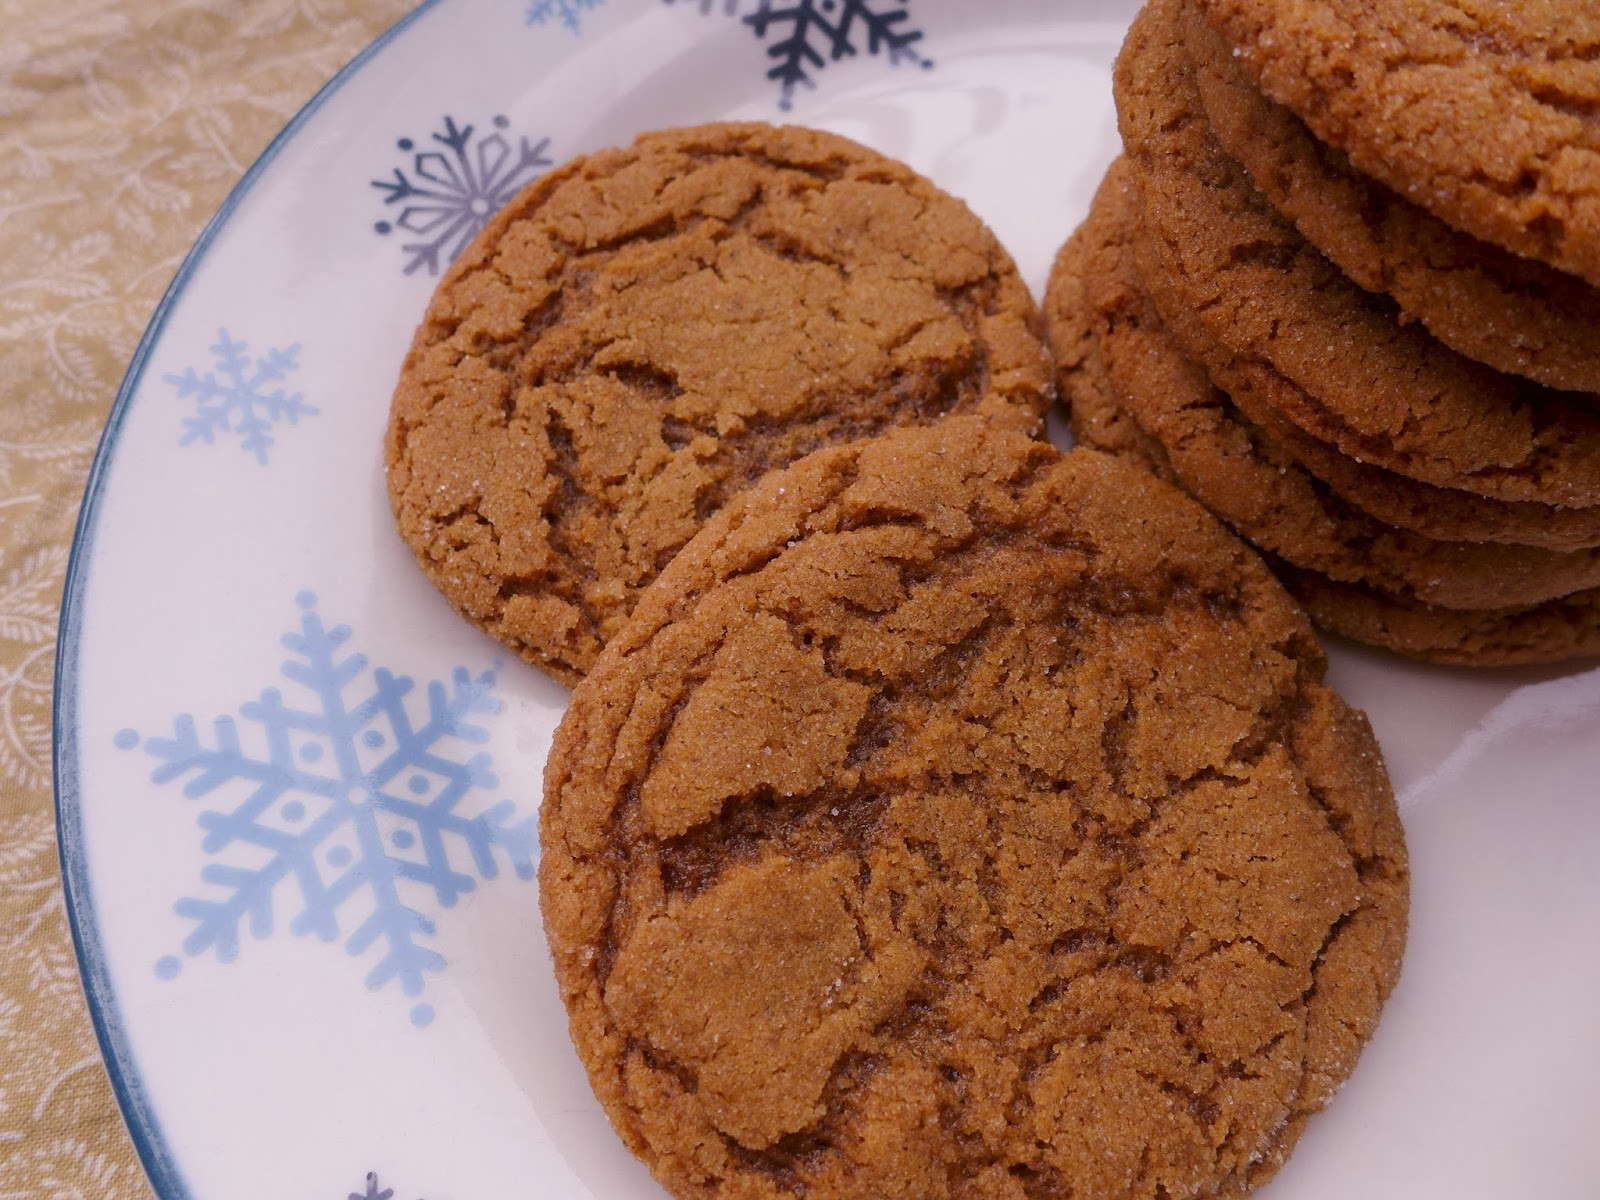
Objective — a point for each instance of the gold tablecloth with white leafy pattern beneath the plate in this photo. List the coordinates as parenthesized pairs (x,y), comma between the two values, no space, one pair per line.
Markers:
(124,124)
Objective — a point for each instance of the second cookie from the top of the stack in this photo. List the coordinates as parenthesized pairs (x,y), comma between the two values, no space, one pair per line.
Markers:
(1506,311)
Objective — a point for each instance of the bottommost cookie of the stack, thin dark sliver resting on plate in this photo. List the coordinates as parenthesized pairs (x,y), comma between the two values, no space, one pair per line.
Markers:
(1558,631)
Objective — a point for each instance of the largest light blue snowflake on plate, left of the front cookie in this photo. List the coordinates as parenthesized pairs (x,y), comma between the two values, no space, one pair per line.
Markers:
(348,809)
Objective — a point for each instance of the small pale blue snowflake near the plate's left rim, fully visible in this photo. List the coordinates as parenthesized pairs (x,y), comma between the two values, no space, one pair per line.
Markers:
(238,398)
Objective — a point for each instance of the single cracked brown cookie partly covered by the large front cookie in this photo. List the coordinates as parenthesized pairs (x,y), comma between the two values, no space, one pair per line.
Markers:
(647,330)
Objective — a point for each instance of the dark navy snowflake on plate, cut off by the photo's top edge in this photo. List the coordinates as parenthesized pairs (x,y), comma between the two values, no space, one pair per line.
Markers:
(810,34)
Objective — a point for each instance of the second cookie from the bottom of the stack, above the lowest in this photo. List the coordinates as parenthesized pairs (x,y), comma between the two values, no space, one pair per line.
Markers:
(1263,494)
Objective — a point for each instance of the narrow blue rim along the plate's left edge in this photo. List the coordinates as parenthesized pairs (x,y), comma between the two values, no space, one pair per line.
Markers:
(143,1126)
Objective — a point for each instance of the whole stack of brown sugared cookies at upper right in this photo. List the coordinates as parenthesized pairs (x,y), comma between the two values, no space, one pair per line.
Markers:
(1343,290)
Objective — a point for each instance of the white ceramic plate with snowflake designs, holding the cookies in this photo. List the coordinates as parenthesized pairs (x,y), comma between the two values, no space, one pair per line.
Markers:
(297,793)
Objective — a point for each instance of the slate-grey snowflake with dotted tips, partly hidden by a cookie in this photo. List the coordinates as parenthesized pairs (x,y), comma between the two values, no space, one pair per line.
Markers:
(449,194)
